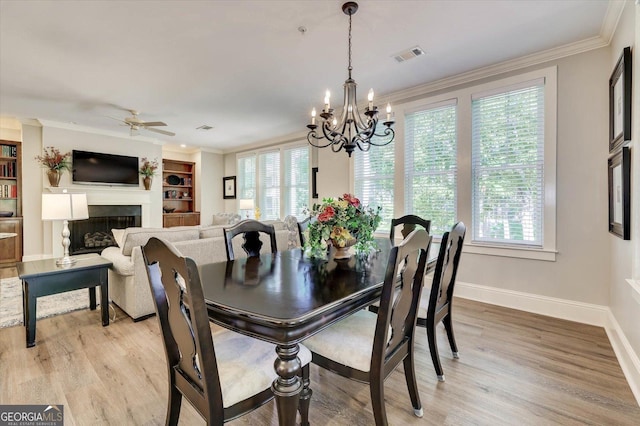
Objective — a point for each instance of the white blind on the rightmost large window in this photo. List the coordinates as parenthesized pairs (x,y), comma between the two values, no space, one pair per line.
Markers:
(507,166)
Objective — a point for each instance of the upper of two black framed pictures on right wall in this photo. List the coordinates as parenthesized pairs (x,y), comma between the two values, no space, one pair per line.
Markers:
(620,101)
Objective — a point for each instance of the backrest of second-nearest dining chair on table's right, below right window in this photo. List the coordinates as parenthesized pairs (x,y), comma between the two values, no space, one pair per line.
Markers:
(444,277)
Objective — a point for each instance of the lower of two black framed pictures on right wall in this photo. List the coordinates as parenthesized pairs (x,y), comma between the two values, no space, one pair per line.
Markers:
(620,193)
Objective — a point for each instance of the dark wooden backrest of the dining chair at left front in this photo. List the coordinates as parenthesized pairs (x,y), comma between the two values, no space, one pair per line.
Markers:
(175,284)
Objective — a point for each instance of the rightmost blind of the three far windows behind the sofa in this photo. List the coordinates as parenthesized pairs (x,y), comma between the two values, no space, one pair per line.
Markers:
(296,181)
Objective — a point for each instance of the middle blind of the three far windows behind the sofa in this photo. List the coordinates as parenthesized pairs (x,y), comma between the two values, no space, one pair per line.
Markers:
(269,185)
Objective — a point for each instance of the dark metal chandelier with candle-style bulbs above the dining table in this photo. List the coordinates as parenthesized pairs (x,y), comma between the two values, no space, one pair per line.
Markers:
(350,130)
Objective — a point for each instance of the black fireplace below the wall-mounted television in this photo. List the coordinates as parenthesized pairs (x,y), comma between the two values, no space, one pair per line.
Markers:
(94,234)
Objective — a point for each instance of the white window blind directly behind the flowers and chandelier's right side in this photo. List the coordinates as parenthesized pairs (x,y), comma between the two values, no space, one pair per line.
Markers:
(373,179)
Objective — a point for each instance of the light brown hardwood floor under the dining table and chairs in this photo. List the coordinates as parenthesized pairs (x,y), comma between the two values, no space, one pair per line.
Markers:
(514,368)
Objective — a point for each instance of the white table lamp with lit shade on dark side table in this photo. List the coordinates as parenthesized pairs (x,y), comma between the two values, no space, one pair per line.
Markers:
(65,207)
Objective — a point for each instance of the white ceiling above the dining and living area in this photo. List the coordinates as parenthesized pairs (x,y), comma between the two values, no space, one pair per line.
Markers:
(244,68)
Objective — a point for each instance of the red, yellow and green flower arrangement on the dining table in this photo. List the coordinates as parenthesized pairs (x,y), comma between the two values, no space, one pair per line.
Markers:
(340,222)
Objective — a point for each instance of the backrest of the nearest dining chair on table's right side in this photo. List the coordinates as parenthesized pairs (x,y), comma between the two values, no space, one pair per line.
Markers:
(397,314)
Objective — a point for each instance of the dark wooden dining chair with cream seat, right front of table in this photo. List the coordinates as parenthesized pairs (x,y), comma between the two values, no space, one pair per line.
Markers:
(366,346)
